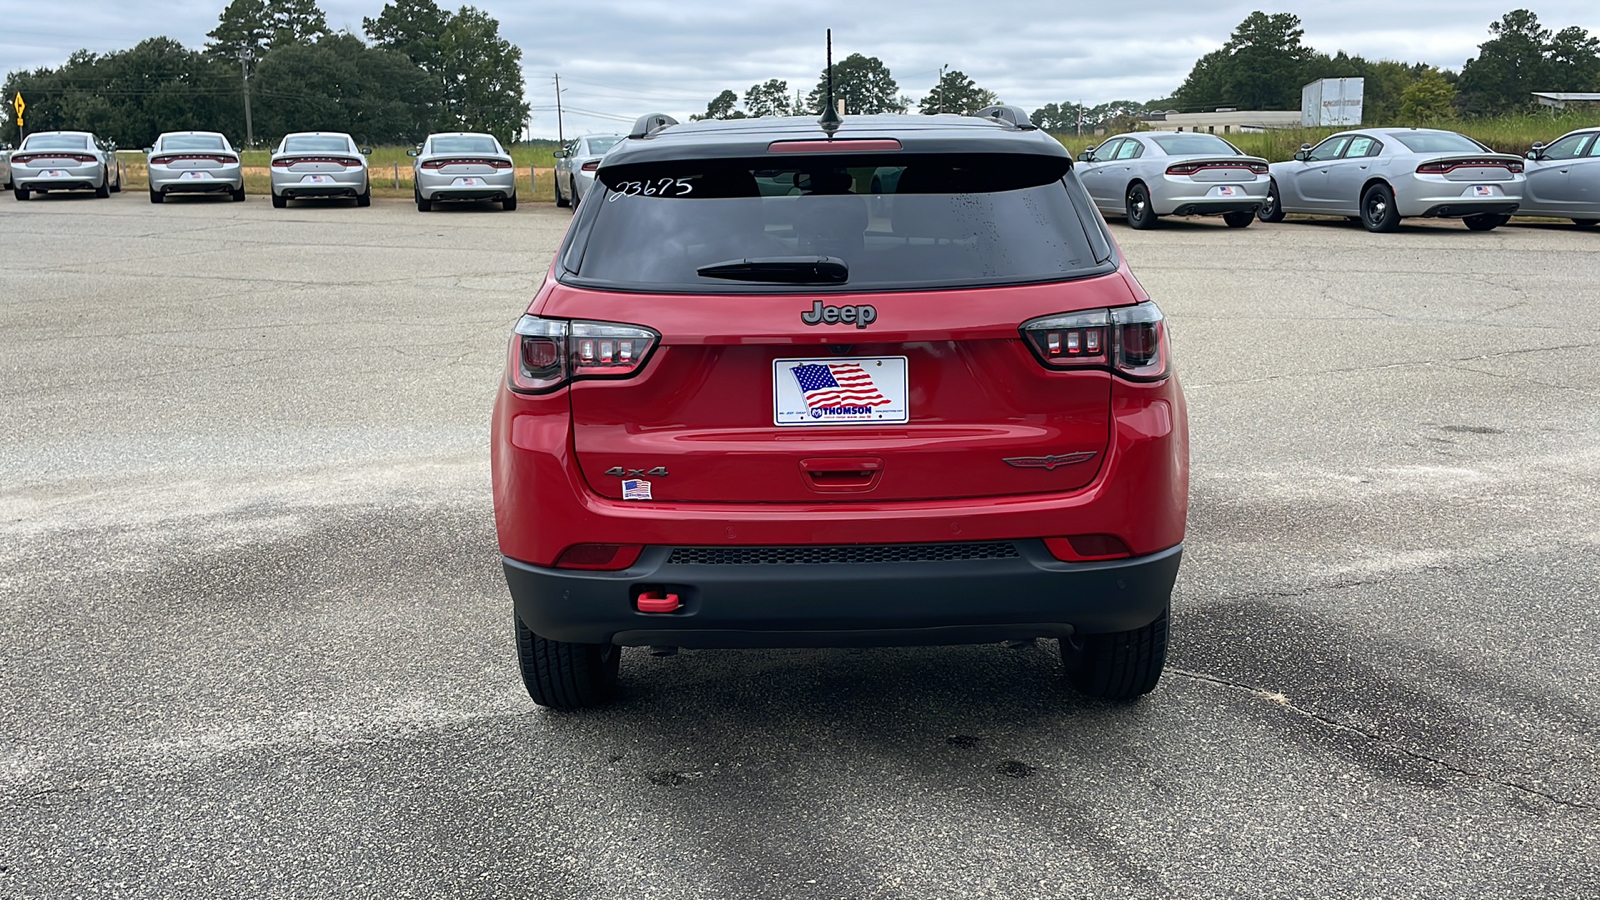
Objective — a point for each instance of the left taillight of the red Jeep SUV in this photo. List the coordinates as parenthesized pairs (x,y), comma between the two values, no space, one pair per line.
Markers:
(550,353)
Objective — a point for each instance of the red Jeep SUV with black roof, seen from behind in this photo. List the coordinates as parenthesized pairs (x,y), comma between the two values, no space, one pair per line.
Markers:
(809,387)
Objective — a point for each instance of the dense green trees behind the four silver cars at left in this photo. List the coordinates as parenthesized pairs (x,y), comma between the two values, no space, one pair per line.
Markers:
(422,70)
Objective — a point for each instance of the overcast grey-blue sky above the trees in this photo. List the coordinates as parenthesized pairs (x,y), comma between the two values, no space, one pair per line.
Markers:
(623,58)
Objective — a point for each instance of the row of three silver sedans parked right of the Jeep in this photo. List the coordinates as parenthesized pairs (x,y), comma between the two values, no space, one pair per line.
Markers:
(1374,175)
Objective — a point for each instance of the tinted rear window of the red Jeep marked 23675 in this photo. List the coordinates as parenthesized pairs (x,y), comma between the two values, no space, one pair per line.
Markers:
(900,222)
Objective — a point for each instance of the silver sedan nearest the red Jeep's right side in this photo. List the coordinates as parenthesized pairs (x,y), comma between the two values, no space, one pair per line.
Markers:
(1174,174)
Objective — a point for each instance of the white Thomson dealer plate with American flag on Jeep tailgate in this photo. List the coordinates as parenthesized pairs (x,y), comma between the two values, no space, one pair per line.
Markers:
(841,392)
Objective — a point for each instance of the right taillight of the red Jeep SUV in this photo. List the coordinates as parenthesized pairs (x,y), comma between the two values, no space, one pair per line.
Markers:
(1129,340)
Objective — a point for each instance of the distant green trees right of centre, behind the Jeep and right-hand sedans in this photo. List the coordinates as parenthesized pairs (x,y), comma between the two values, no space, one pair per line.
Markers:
(1262,66)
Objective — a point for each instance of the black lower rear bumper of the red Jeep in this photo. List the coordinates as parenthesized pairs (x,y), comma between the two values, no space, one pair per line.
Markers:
(844,605)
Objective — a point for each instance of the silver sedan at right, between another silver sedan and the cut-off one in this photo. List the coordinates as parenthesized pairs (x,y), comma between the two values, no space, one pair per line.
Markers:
(1383,175)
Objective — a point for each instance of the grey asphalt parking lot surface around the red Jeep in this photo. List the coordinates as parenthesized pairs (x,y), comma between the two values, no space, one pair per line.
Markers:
(257,640)
